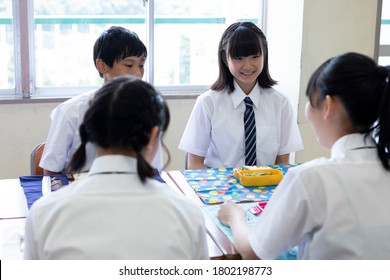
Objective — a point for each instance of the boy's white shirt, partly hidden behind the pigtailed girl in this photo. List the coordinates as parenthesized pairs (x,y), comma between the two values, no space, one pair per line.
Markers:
(64,136)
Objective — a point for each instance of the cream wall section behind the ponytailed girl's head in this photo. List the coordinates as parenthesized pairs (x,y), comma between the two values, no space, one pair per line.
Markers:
(331,27)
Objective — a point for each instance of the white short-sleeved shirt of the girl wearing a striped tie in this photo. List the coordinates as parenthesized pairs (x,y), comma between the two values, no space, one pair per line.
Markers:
(215,129)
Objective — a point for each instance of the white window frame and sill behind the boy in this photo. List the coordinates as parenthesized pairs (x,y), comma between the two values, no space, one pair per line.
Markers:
(24,59)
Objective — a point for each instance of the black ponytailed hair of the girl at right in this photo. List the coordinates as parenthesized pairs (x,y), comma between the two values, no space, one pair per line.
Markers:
(363,88)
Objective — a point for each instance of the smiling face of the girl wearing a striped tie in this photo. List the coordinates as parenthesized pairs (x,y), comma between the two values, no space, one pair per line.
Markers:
(245,70)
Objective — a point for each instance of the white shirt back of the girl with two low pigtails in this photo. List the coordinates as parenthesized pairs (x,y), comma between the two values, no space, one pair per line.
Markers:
(115,216)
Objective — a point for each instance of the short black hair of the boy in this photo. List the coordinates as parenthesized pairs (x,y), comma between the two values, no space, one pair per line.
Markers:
(117,43)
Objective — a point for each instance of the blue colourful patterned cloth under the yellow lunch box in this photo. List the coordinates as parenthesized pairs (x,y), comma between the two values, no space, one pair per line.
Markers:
(217,185)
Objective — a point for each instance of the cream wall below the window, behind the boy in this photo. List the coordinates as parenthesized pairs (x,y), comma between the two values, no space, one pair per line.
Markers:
(23,126)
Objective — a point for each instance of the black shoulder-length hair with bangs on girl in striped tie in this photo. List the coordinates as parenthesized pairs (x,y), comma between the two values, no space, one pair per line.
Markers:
(241,39)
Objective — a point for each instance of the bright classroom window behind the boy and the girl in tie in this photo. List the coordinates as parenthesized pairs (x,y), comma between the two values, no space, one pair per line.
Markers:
(181,36)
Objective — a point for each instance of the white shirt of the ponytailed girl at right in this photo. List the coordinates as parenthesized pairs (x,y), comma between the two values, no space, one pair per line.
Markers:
(336,208)
